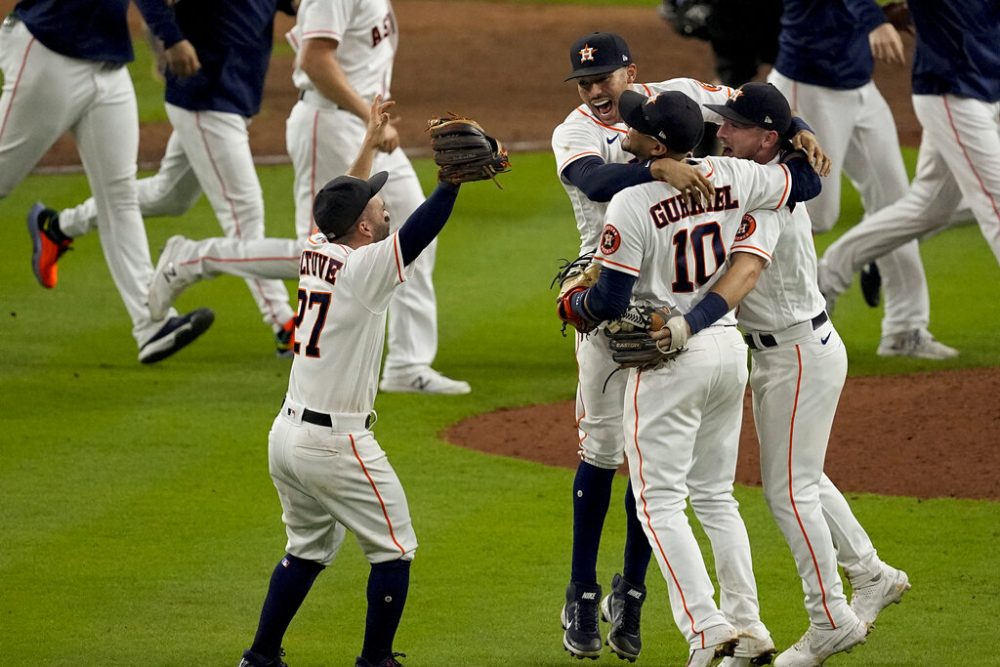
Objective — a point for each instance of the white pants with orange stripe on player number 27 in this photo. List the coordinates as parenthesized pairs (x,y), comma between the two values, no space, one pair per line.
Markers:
(332,480)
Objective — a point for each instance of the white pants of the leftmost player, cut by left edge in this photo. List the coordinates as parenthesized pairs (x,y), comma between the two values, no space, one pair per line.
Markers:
(46,94)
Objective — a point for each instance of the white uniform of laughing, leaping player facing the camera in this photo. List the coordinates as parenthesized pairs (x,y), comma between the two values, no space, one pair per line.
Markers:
(600,390)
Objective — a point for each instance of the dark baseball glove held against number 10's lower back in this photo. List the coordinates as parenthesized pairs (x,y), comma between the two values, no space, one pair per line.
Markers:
(631,344)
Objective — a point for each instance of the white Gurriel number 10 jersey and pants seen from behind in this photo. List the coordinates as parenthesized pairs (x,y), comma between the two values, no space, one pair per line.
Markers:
(682,421)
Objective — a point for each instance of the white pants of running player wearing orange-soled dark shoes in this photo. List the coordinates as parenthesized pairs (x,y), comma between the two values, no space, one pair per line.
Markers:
(210,151)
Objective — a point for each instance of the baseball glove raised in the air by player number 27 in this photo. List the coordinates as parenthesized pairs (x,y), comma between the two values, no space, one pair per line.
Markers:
(464,152)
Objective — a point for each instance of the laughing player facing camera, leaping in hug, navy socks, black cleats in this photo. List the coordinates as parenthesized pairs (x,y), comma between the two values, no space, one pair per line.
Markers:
(593,166)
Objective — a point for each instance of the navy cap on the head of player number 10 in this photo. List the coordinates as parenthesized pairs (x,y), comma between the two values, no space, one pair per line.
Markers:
(671,117)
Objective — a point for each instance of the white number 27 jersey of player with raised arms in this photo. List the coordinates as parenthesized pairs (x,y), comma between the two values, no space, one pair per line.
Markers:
(343,296)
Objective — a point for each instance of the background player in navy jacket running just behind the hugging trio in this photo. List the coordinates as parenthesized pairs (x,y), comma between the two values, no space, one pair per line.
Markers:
(824,68)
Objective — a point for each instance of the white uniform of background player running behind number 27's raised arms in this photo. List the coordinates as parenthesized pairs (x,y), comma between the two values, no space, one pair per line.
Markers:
(323,140)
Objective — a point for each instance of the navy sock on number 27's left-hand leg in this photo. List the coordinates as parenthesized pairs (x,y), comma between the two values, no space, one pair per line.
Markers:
(290,583)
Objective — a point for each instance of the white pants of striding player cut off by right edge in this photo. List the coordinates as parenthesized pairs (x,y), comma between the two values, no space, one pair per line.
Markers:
(958,159)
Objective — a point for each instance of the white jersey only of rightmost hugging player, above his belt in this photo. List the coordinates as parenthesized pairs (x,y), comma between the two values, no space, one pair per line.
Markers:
(787,291)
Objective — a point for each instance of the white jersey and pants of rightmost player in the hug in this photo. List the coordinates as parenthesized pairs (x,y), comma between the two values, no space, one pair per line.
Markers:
(798,371)
